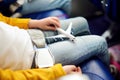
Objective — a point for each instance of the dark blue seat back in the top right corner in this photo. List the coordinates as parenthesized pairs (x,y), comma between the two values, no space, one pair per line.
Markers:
(112,9)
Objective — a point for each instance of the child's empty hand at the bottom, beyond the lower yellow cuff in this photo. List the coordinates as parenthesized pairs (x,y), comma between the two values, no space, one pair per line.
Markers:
(71,69)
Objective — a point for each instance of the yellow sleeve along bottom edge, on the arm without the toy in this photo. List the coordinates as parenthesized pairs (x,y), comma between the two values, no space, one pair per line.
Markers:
(33,74)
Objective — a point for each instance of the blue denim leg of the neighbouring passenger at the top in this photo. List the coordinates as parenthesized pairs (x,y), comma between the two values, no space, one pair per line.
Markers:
(43,5)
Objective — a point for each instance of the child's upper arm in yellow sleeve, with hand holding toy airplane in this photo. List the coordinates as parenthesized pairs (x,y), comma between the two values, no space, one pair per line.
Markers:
(45,24)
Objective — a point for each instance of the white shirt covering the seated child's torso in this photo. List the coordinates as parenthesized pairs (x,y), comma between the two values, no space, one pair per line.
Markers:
(16,49)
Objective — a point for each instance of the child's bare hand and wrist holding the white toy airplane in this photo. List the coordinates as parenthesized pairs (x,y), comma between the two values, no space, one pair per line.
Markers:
(49,23)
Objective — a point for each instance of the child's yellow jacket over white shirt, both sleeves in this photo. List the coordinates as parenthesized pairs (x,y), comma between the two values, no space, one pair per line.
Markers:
(31,74)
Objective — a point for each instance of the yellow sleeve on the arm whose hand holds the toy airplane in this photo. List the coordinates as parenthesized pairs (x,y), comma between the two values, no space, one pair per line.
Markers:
(21,23)
